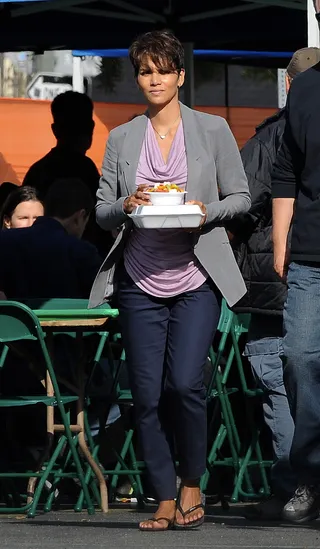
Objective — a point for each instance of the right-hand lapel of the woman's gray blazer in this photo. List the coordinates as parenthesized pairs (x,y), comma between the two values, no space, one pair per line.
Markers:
(193,151)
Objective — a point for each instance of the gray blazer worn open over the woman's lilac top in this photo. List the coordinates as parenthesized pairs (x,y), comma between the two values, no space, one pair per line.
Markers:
(214,166)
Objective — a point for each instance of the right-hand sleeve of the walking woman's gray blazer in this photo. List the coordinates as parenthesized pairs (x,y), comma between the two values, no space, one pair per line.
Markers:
(231,178)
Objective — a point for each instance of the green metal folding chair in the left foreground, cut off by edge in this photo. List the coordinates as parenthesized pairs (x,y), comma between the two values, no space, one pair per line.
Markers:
(18,323)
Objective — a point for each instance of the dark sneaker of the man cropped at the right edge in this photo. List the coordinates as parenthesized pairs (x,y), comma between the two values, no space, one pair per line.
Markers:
(303,506)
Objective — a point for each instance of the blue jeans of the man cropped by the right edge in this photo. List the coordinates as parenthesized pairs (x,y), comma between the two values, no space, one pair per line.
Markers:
(302,367)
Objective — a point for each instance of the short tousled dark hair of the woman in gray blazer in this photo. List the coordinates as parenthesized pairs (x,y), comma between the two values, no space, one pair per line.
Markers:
(163,48)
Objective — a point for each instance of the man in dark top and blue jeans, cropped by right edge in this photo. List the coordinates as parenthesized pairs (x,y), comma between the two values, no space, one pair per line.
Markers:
(295,193)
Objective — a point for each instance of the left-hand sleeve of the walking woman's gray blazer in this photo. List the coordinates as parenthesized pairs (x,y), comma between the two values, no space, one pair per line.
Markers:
(109,206)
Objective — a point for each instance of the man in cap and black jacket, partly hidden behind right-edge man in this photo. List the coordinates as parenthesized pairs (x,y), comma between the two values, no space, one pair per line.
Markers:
(267,293)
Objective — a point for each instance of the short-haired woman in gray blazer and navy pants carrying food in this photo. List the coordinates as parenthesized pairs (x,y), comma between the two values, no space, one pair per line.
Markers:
(170,282)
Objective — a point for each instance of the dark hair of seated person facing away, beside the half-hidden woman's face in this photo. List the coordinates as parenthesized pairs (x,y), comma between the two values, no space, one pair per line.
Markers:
(66,196)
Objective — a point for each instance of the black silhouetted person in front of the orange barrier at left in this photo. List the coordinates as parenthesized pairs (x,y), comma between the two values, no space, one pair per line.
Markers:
(72,126)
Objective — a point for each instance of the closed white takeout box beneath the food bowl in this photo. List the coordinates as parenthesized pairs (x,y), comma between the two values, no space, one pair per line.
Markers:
(186,216)
